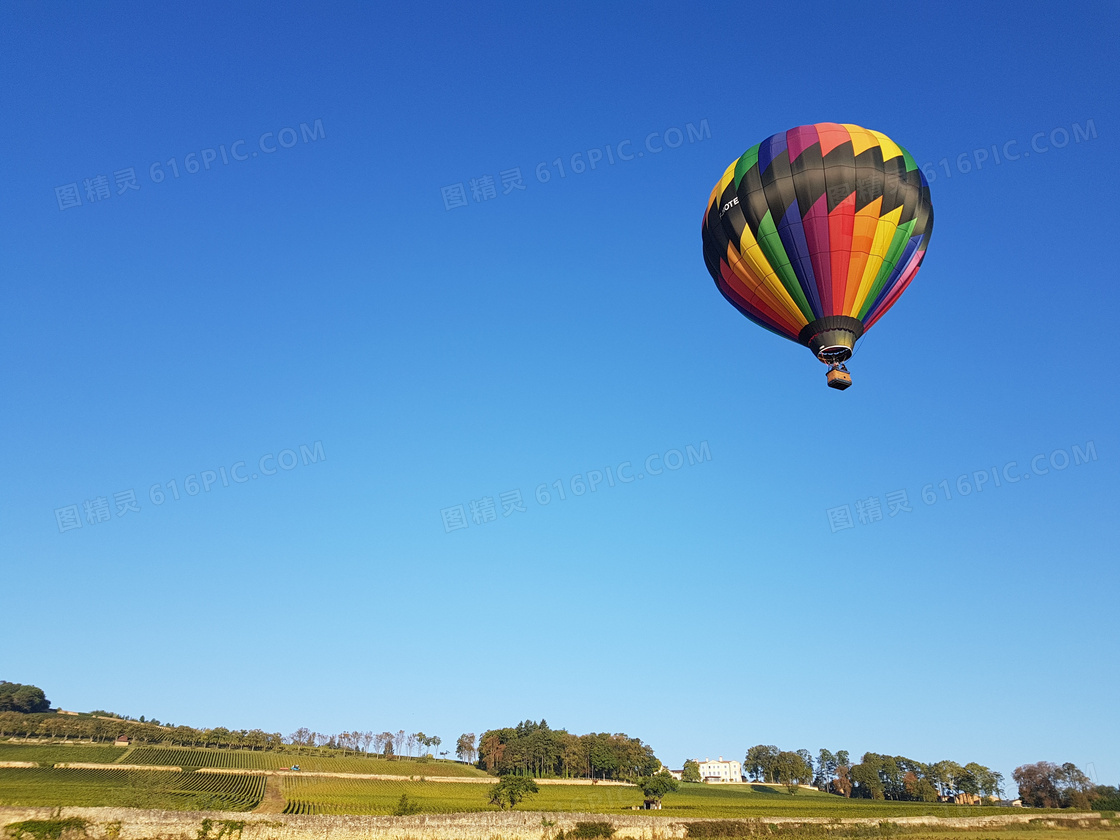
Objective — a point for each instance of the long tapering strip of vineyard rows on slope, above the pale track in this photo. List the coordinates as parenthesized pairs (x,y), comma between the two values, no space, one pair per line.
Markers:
(249,760)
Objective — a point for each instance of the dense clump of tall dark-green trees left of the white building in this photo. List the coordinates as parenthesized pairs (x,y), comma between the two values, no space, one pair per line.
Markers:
(535,750)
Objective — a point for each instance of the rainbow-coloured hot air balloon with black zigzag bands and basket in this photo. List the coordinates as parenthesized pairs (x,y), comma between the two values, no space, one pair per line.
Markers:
(816,232)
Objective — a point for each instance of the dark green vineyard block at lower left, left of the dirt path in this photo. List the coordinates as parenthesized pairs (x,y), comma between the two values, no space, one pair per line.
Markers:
(137,789)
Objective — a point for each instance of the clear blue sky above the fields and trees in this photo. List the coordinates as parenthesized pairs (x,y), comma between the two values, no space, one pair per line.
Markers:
(321,283)
